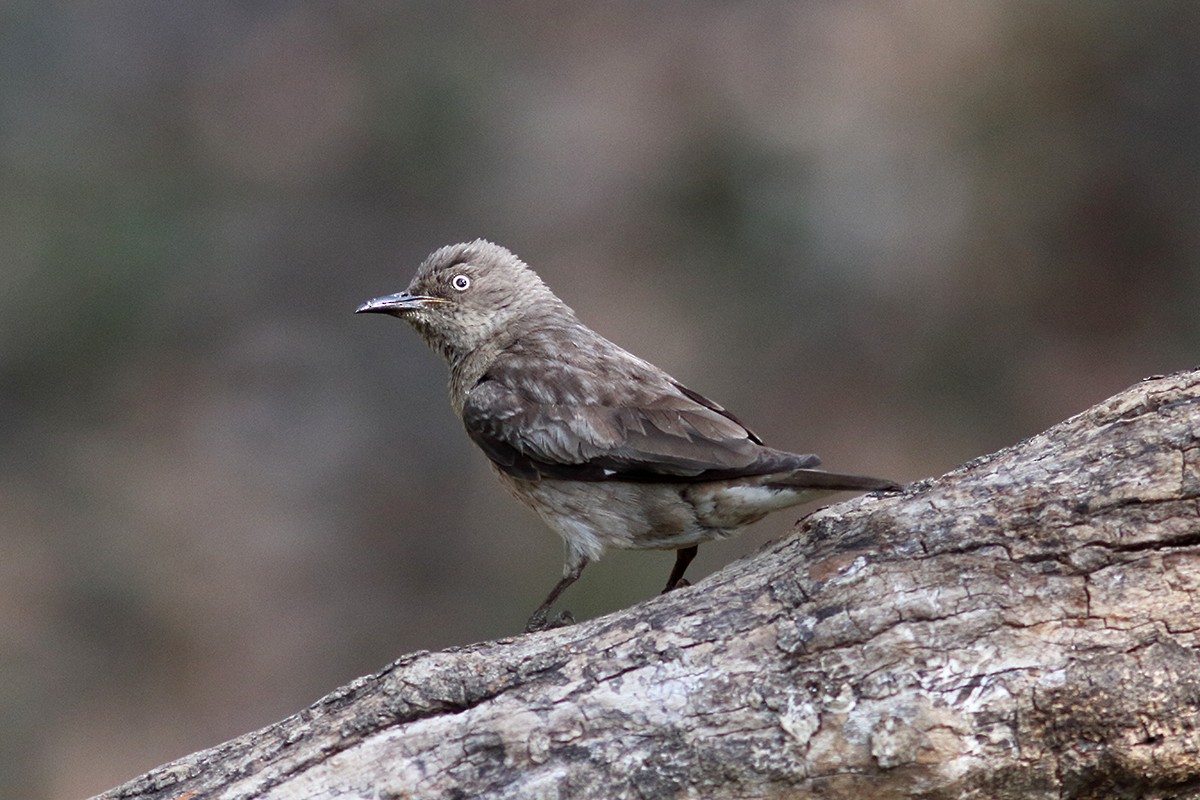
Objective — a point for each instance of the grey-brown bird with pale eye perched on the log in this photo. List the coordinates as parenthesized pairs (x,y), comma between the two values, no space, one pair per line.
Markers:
(609,450)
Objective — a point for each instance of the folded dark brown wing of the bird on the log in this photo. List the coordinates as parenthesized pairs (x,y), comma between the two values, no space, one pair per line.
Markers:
(657,432)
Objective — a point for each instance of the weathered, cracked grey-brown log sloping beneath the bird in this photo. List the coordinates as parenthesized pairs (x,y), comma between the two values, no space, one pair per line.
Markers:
(1024,627)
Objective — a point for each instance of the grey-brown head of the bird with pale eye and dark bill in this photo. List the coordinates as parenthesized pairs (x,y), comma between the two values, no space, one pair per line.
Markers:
(470,297)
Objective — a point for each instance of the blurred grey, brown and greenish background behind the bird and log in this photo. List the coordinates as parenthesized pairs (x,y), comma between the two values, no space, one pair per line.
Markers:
(901,236)
